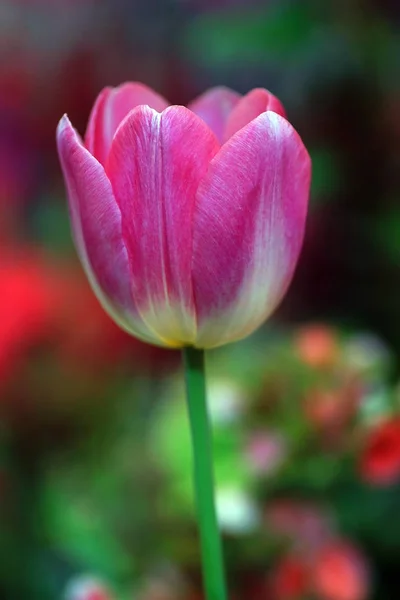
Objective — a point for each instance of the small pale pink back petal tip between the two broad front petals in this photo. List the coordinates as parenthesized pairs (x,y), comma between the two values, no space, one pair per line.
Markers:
(214,107)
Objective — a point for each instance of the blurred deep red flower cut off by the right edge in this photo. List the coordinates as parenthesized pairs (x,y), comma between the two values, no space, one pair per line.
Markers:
(380,459)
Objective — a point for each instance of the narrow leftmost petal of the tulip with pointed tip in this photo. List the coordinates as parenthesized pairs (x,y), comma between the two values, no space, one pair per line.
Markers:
(96,226)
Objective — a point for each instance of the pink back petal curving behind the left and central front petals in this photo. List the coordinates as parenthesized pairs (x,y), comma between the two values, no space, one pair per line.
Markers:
(111,107)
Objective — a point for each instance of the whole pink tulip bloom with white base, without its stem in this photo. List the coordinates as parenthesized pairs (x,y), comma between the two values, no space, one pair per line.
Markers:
(188,221)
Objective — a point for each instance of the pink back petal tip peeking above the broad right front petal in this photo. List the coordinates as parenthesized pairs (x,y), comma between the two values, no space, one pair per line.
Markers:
(249,107)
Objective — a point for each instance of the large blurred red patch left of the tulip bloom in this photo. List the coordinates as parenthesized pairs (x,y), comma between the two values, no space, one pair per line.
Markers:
(47,303)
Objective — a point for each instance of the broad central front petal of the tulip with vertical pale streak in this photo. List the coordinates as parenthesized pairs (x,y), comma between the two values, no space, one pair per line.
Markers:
(155,165)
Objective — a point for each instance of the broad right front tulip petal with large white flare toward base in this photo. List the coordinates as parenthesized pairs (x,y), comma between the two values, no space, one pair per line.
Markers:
(248,228)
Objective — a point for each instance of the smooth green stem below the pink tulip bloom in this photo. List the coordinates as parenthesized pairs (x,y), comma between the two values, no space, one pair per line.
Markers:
(211,552)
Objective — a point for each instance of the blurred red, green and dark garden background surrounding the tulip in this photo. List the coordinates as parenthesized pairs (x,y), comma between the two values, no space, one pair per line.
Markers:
(95,473)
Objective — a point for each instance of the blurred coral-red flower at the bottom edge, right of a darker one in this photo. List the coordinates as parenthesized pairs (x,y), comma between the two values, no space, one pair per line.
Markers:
(340,572)
